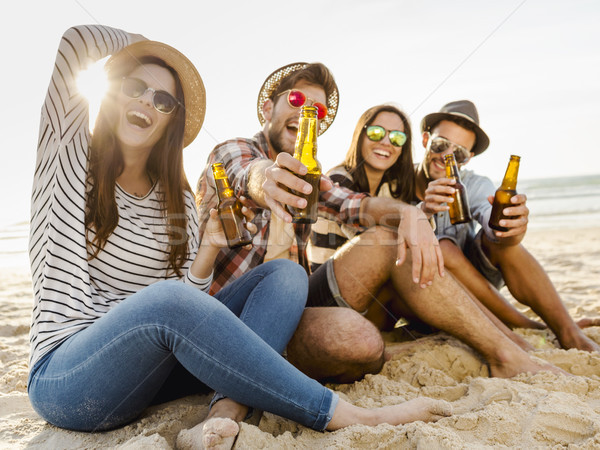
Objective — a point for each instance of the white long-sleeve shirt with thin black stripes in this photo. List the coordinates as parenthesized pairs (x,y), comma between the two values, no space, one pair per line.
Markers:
(71,290)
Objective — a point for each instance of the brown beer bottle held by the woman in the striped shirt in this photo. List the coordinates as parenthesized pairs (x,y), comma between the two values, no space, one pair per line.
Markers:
(230,210)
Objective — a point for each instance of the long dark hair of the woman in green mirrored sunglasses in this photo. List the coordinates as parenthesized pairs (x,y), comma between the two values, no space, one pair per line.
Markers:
(400,176)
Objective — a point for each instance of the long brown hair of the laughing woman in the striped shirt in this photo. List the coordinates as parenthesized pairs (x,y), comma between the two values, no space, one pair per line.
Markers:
(165,164)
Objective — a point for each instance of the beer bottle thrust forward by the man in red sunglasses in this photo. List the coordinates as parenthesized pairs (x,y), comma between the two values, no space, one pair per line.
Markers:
(305,151)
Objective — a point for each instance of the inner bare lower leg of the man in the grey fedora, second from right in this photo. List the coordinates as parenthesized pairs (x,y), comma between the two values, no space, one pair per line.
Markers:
(457,263)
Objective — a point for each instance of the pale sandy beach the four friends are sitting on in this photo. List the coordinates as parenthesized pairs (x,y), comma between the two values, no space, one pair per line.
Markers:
(543,410)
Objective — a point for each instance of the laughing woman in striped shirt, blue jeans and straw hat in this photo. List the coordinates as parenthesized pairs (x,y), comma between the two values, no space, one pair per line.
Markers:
(121,316)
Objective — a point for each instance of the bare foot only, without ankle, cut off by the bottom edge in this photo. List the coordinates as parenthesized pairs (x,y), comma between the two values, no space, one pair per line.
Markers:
(218,433)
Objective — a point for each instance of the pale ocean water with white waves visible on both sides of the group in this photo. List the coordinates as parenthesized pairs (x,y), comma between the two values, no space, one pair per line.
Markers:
(569,202)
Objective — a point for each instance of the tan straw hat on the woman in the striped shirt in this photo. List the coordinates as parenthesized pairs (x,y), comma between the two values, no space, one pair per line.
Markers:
(194,93)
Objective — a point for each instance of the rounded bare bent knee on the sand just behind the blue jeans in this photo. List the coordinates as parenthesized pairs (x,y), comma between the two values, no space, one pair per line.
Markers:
(336,345)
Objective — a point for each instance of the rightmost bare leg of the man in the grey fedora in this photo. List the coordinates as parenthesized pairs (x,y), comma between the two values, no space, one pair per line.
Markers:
(530,285)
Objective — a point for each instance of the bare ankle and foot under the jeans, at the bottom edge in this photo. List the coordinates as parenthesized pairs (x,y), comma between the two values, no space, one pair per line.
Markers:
(218,431)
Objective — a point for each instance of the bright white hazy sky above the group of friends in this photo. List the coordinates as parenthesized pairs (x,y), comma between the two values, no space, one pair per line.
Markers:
(532,67)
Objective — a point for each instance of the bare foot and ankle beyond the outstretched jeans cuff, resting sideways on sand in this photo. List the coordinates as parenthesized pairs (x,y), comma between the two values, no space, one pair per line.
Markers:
(422,408)
